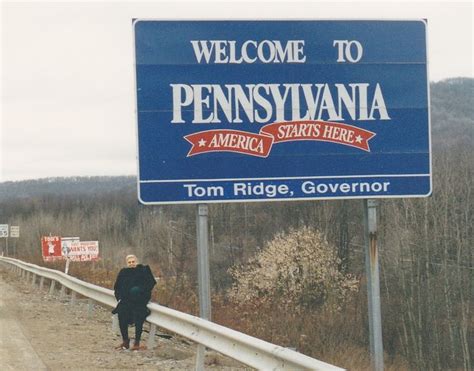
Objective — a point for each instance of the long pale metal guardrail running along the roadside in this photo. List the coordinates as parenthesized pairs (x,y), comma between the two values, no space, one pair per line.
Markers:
(243,348)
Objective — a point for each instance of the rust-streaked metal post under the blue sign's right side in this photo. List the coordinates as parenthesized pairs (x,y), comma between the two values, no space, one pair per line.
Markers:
(373,284)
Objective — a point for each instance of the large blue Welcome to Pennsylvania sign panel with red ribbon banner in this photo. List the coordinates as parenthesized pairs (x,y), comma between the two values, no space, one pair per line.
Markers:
(281,110)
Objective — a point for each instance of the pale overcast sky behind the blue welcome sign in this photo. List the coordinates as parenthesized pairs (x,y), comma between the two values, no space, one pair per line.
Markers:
(67,106)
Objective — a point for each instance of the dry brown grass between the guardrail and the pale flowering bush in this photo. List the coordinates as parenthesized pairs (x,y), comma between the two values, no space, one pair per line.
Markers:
(336,338)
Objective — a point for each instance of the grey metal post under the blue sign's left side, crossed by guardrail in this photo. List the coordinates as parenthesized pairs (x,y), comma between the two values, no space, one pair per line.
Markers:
(203,274)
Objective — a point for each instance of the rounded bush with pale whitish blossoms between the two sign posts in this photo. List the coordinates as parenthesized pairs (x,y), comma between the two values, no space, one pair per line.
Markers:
(298,268)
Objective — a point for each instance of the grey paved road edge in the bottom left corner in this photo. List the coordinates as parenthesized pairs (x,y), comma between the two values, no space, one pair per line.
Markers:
(16,352)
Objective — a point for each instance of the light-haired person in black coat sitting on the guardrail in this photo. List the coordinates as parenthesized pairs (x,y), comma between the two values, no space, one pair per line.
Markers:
(133,292)
